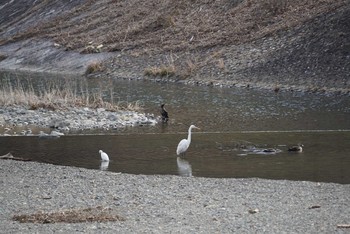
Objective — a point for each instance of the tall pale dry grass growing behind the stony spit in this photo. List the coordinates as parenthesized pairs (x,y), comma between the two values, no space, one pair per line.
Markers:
(60,94)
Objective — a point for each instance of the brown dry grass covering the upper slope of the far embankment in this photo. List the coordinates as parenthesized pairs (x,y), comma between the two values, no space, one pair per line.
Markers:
(171,25)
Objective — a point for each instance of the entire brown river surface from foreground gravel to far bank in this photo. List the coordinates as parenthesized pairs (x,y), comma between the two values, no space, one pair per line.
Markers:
(237,125)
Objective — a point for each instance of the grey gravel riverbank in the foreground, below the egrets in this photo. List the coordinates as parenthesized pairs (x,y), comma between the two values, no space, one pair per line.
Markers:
(168,204)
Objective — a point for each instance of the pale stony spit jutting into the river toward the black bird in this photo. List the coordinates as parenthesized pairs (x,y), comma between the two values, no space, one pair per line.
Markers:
(17,120)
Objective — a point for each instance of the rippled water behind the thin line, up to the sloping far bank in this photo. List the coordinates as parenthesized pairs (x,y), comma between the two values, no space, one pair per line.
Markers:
(221,109)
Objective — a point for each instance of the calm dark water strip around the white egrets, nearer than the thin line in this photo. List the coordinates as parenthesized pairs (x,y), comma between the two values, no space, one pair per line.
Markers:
(325,157)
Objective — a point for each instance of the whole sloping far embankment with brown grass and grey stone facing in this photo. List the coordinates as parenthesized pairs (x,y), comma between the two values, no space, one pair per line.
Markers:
(275,44)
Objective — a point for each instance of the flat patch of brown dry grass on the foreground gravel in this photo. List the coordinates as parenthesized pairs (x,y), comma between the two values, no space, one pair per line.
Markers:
(95,214)
